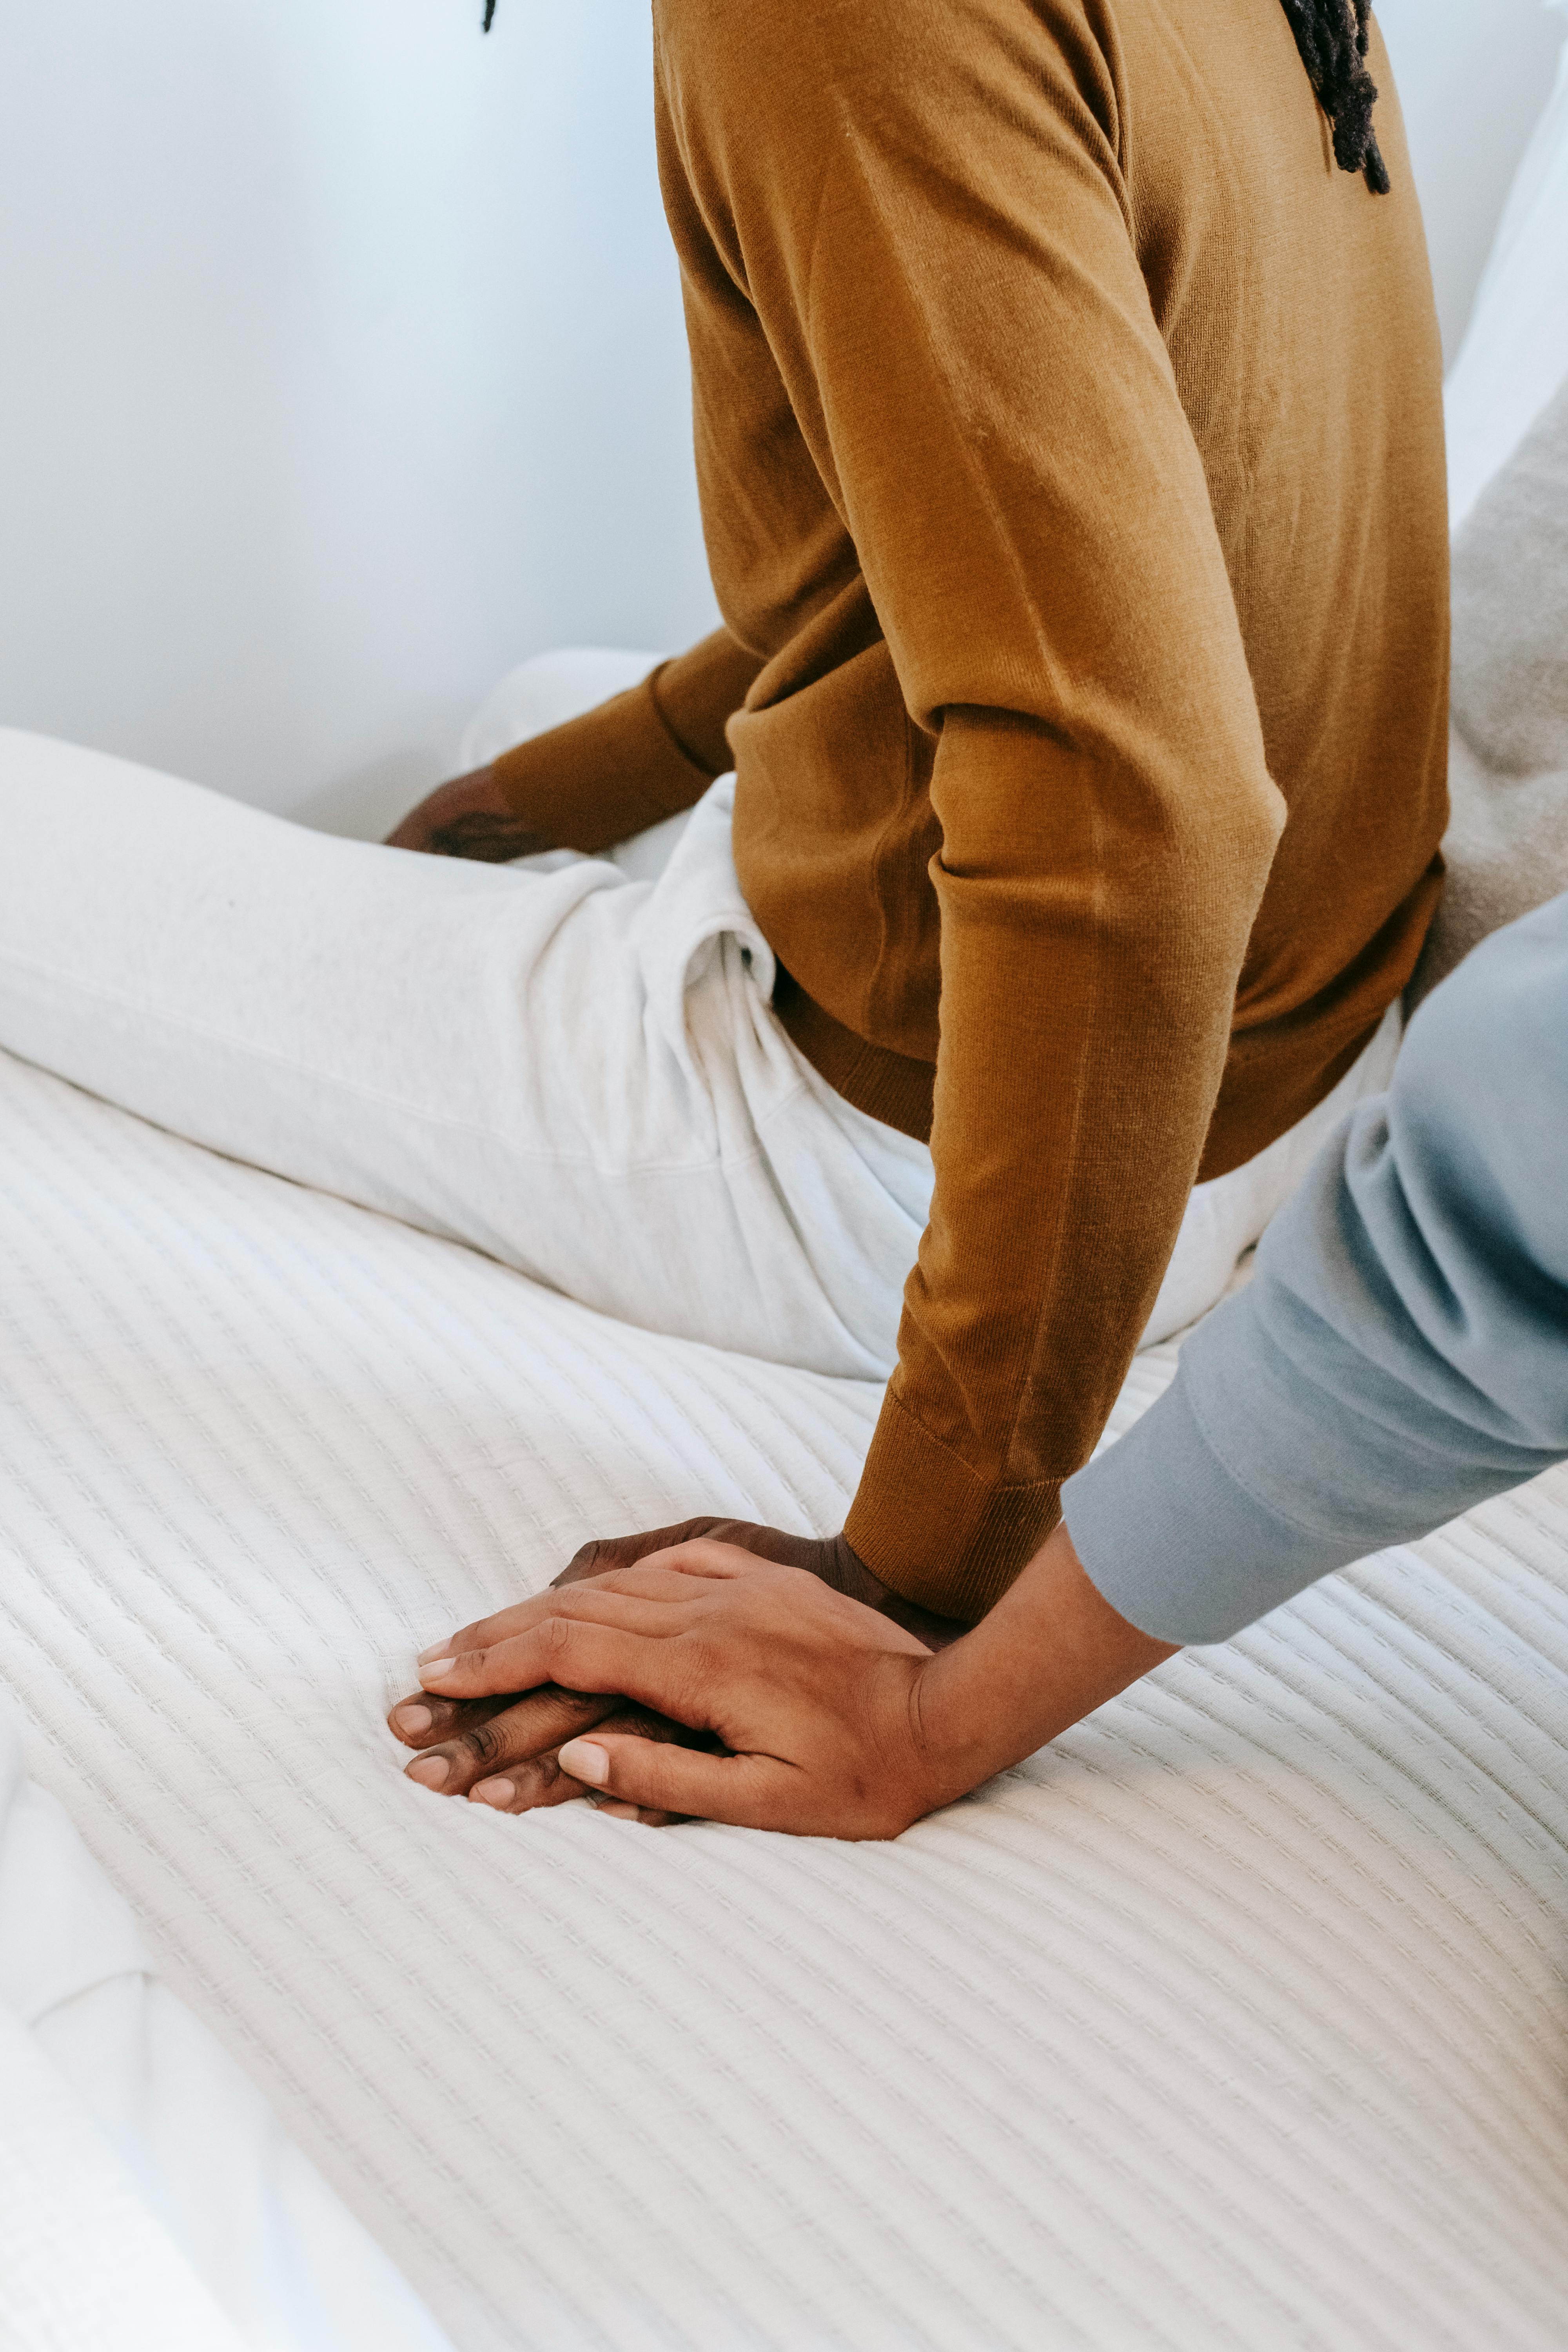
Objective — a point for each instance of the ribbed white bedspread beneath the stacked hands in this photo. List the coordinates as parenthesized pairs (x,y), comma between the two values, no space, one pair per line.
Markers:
(1235,2022)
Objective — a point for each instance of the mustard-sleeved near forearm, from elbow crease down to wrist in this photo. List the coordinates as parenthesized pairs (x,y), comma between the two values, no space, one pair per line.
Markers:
(1090,973)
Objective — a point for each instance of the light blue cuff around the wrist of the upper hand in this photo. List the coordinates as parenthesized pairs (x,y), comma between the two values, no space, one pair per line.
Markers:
(1174,1542)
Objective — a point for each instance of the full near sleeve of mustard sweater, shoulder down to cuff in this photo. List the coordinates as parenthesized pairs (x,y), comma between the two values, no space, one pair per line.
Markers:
(970,352)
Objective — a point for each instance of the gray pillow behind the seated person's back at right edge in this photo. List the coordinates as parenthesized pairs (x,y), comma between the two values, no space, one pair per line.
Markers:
(1508,756)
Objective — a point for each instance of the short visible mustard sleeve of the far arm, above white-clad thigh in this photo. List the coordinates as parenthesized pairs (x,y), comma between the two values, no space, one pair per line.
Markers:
(638,759)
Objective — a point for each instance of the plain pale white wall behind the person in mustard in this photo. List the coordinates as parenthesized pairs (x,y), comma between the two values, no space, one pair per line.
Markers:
(342,361)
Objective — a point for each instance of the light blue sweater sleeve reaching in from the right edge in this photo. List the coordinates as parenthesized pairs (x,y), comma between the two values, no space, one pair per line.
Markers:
(1402,1349)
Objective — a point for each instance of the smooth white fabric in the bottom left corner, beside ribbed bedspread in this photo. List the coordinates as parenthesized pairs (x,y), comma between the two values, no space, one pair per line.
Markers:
(163,2130)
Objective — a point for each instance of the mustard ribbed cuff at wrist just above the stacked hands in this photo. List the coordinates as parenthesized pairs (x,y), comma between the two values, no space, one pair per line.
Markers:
(934,1530)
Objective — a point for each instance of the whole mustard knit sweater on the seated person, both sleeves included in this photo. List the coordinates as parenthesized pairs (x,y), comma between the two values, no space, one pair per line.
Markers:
(1073,476)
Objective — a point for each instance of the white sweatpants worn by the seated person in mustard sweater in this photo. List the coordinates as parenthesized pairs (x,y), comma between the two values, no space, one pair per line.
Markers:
(570,1064)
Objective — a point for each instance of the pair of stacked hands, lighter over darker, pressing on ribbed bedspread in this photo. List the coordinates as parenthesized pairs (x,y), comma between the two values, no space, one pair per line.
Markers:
(800,1695)
